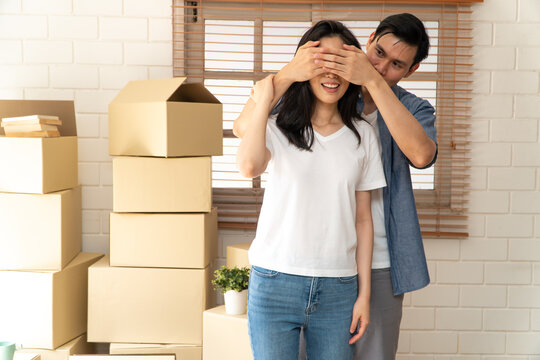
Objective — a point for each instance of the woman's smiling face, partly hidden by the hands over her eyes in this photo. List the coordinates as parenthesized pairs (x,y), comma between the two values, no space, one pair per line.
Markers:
(329,88)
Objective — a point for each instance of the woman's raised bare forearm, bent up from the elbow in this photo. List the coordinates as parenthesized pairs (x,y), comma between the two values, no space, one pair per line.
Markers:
(253,156)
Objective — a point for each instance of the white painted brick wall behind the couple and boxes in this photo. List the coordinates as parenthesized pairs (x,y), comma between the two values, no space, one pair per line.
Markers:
(484,300)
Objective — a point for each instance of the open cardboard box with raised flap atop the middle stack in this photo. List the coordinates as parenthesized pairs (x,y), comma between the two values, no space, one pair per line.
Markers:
(166,118)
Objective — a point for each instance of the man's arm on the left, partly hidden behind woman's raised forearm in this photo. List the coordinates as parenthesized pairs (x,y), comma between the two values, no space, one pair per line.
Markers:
(301,68)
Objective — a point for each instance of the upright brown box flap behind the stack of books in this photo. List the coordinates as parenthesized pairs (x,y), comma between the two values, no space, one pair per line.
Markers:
(65,110)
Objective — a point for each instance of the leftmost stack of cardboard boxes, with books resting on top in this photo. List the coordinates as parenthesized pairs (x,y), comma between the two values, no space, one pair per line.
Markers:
(43,274)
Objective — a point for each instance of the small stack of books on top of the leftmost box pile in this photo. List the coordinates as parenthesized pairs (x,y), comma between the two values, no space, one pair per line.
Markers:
(32,126)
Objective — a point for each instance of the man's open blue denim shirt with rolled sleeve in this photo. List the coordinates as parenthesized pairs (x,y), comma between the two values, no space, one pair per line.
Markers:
(407,258)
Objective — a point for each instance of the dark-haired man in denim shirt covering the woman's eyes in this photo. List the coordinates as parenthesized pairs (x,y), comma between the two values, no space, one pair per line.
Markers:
(406,128)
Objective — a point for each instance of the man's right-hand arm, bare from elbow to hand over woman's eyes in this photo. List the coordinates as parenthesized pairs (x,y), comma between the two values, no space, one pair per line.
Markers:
(353,65)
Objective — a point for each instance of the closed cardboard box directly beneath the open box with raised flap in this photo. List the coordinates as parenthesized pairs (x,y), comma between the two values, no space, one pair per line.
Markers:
(162,185)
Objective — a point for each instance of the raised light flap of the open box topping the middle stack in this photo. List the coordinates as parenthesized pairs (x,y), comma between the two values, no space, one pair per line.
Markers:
(148,90)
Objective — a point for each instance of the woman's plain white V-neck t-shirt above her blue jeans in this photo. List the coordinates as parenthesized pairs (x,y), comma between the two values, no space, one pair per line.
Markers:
(307,221)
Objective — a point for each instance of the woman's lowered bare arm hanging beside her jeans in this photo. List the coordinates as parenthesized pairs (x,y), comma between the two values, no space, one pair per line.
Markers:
(364,252)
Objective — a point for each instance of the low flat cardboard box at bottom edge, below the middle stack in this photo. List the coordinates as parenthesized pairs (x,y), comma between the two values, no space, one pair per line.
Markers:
(182,352)
